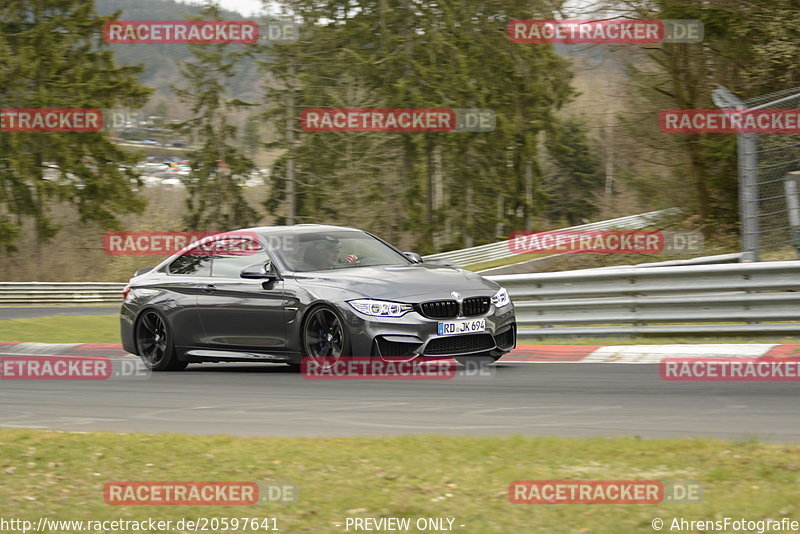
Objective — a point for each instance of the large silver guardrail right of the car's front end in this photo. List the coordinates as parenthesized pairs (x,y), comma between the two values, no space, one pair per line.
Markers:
(705,299)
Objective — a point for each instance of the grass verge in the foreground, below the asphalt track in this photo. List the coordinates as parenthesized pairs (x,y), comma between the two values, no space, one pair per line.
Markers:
(61,476)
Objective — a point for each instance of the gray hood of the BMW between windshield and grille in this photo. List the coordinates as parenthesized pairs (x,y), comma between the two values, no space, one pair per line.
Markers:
(413,283)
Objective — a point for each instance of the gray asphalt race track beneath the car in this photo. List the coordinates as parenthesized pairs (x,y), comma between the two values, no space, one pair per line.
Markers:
(565,399)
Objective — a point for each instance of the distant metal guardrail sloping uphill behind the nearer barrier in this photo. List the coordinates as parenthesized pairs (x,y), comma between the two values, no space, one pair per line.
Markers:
(500,250)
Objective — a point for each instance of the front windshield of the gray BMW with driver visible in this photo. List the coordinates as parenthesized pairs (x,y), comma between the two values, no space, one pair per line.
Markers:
(319,251)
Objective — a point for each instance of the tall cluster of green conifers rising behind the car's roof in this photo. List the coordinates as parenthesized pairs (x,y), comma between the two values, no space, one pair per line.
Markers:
(445,189)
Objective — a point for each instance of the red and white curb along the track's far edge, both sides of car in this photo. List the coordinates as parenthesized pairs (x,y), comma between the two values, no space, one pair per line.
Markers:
(522,354)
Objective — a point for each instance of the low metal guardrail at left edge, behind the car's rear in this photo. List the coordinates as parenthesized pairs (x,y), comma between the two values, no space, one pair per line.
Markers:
(60,292)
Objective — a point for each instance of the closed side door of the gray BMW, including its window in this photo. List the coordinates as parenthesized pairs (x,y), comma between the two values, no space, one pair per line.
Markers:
(239,313)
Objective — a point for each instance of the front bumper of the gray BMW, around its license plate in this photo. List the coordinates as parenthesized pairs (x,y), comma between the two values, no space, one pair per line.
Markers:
(414,335)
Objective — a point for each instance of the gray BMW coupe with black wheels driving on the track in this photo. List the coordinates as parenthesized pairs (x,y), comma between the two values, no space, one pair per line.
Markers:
(279,294)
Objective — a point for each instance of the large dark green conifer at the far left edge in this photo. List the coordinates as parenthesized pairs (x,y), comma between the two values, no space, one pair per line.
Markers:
(52,56)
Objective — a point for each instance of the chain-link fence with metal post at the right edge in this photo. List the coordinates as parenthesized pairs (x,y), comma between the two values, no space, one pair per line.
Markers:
(765,163)
